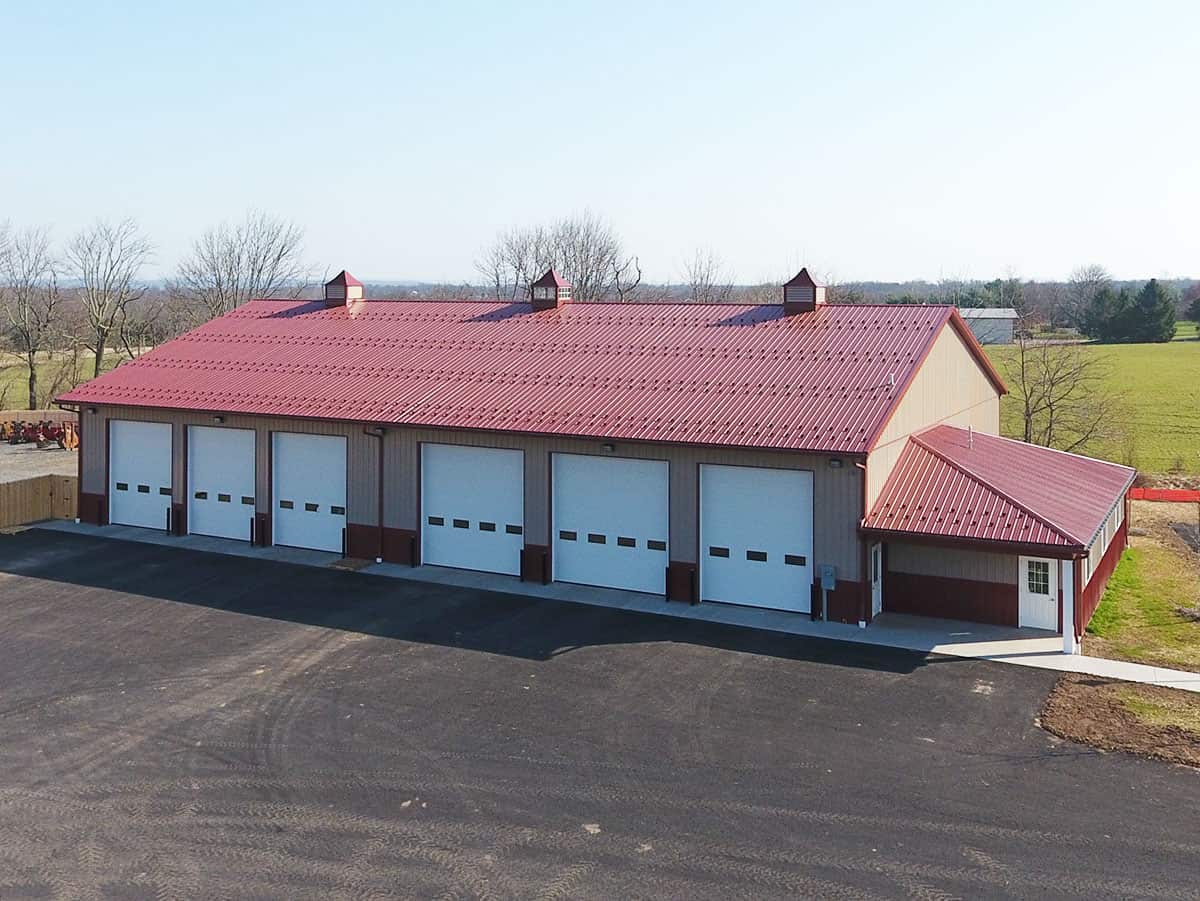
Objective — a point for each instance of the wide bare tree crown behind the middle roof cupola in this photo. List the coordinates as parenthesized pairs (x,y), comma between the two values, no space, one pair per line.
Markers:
(584,249)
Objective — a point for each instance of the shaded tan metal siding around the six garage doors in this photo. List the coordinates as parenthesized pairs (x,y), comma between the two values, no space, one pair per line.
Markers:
(838,506)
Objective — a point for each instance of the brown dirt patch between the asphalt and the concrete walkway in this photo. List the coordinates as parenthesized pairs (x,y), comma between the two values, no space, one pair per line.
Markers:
(1126,717)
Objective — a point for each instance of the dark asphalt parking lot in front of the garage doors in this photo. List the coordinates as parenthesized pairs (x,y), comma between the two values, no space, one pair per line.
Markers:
(176,724)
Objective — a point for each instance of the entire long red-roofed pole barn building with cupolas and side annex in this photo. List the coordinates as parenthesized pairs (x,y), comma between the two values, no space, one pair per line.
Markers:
(831,460)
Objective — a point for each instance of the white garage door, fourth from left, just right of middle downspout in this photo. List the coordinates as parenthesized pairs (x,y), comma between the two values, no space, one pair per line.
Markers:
(472,508)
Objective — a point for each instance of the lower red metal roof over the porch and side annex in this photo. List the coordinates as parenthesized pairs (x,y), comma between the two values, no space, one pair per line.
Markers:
(951,484)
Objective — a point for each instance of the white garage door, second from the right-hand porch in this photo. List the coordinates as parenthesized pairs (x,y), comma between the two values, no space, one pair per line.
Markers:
(610,522)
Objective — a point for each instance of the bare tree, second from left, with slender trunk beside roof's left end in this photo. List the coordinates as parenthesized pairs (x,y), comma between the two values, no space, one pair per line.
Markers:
(106,259)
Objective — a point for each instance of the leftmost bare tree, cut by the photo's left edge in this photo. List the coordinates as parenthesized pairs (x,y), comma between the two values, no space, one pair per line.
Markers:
(29,295)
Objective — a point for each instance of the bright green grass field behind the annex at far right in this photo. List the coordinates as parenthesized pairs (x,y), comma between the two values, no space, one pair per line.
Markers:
(1160,387)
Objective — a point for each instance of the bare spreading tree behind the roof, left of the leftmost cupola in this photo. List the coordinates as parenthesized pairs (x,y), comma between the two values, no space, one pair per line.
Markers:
(260,257)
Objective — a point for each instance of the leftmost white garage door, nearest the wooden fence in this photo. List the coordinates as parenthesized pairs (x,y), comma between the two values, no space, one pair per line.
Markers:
(139,473)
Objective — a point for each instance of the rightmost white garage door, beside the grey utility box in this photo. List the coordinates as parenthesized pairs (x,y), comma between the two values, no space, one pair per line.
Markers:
(757,537)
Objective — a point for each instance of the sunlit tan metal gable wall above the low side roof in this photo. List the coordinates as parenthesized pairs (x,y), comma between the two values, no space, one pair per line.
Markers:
(952,389)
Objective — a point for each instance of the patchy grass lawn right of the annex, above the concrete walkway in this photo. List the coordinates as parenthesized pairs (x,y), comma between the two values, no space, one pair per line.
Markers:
(1139,617)
